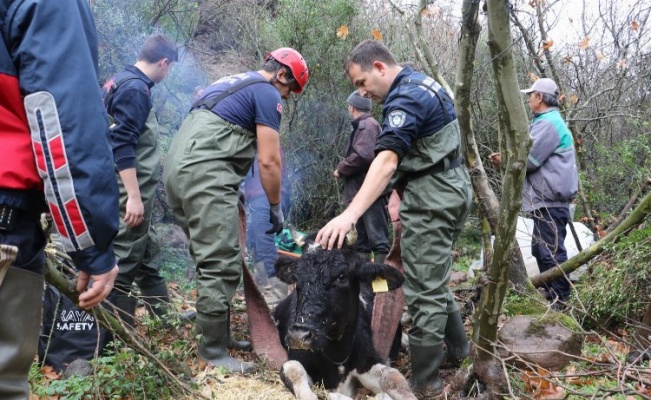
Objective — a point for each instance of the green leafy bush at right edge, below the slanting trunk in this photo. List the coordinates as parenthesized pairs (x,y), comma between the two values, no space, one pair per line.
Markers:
(620,283)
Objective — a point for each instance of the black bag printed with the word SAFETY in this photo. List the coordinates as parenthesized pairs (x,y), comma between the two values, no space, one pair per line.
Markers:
(68,332)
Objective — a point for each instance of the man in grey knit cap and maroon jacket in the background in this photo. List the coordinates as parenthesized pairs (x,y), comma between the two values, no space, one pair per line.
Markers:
(373,226)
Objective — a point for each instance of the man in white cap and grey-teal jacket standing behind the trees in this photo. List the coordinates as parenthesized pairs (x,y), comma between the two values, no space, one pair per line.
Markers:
(551,183)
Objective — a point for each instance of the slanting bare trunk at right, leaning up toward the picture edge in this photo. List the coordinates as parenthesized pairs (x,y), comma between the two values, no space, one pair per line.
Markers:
(637,216)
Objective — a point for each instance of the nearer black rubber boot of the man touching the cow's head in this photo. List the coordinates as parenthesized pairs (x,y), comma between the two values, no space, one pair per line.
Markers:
(425,363)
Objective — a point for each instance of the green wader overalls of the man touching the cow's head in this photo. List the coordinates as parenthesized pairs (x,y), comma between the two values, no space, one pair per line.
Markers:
(433,211)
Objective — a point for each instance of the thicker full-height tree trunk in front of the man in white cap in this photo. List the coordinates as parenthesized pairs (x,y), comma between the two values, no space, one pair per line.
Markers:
(513,118)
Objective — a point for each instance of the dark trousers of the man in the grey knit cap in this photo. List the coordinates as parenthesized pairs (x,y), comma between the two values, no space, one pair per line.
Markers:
(373,228)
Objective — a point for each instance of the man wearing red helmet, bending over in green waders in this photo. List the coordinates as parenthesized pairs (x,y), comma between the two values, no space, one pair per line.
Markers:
(207,160)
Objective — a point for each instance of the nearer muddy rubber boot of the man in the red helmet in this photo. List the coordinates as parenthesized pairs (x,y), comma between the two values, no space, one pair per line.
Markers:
(212,344)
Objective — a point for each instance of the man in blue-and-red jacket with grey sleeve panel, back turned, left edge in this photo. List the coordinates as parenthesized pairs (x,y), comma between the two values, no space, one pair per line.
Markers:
(48,85)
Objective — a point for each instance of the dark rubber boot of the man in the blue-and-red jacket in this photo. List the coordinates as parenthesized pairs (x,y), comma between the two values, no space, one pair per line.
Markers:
(20,320)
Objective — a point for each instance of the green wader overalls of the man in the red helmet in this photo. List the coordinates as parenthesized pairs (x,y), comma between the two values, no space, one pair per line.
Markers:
(208,159)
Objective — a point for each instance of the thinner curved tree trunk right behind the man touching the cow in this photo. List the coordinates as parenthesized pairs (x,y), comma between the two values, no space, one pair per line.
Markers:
(484,194)
